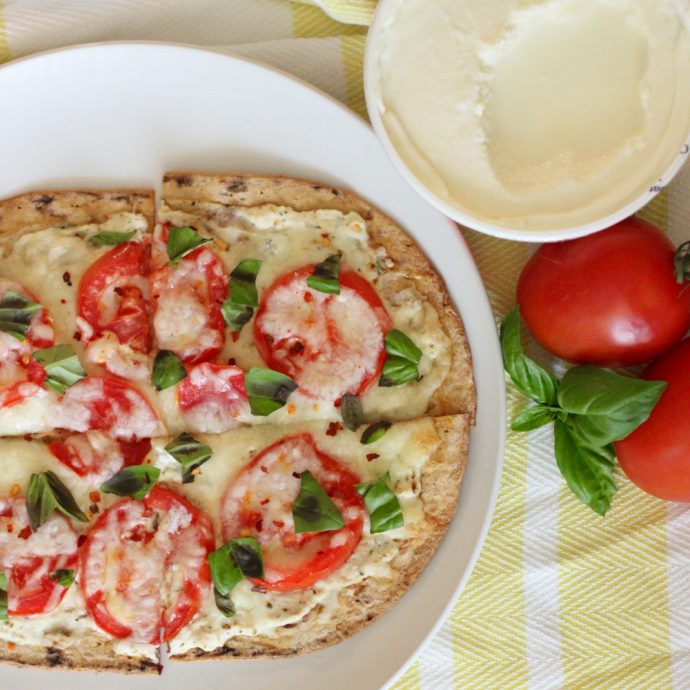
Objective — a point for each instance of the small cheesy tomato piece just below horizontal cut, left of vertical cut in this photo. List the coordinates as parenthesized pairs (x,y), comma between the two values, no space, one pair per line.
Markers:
(97,456)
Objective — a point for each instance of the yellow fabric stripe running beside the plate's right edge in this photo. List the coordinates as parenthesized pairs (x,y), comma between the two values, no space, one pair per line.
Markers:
(488,621)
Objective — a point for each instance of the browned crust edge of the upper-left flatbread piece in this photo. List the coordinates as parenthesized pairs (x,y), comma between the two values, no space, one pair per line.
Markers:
(68,208)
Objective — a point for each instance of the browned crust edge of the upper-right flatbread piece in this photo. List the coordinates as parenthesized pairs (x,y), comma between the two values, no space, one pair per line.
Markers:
(457,393)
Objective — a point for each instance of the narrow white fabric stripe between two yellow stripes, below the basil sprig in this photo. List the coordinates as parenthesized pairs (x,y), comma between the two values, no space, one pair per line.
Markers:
(542,621)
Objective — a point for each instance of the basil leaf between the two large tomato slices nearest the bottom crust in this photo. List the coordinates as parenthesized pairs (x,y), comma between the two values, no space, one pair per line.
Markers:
(229,564)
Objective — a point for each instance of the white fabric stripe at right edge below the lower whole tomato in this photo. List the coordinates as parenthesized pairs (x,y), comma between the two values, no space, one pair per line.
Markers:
(678,529)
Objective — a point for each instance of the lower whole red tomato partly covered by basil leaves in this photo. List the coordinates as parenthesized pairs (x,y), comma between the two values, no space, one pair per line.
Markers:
(656,456)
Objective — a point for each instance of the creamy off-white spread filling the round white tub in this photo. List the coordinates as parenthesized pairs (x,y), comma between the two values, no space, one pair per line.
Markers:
(538,114)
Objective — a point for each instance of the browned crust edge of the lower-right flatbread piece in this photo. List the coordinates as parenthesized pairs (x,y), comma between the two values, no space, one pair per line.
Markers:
(365,601)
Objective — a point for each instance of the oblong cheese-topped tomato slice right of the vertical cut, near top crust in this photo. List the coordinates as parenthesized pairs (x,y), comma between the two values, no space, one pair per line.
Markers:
(186,304)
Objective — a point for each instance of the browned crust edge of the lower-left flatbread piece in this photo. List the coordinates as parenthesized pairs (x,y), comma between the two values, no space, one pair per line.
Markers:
(90,654)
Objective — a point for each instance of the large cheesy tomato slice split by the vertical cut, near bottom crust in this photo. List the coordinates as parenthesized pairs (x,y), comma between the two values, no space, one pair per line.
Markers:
(144,566)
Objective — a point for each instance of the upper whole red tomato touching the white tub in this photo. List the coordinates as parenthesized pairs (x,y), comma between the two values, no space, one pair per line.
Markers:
(610,299)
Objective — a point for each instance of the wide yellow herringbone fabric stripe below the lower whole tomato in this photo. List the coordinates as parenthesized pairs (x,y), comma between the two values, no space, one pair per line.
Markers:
(613,594)
